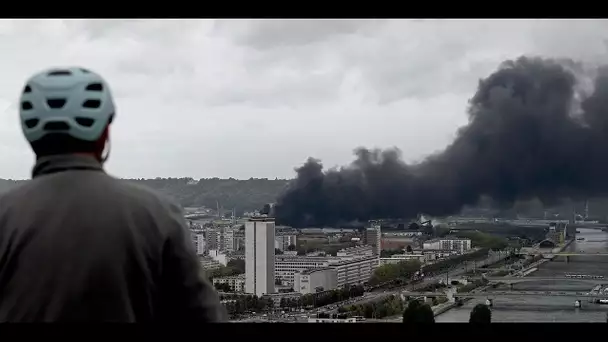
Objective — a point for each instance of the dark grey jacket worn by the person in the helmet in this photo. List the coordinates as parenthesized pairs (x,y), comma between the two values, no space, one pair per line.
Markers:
(79,245)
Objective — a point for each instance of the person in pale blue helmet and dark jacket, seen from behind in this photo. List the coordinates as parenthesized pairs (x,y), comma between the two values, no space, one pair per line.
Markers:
(79,245)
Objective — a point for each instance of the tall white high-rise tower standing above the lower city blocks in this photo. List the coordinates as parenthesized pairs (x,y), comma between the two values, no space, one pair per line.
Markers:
(259,255)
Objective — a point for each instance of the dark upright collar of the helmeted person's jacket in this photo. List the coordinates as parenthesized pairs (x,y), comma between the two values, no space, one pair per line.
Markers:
(65,162)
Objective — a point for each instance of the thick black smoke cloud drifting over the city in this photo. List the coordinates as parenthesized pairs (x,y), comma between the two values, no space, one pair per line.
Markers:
(537,128)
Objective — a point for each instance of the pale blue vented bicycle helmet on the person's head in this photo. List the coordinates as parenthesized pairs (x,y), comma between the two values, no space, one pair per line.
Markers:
(73,101)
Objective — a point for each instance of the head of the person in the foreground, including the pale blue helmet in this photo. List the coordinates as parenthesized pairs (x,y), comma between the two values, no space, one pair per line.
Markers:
(66,111)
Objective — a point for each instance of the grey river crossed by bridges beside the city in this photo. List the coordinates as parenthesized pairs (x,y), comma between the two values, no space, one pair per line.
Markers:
(550,309)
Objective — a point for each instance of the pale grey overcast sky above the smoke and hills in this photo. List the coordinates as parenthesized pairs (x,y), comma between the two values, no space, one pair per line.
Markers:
(255,98)
